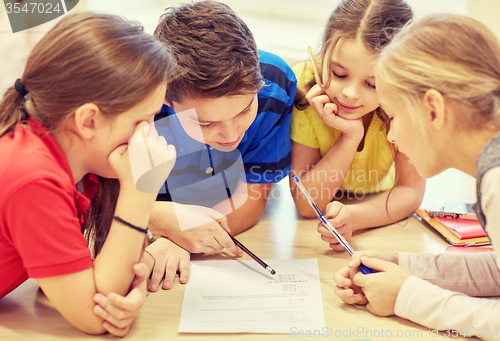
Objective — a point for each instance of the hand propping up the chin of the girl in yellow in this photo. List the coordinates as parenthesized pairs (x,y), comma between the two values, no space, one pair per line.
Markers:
(328,112)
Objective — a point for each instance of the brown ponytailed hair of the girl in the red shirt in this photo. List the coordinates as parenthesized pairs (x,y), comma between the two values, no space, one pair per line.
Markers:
(88,58)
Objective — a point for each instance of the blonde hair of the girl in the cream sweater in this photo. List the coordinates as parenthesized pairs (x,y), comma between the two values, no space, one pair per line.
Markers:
(453,54)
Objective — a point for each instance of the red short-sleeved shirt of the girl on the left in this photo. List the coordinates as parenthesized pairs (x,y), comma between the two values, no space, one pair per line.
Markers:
(40,209)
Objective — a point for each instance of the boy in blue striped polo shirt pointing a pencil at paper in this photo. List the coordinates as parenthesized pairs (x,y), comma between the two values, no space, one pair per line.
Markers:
(228,115)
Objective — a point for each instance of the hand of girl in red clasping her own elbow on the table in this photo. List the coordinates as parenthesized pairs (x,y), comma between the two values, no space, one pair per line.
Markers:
(119,311)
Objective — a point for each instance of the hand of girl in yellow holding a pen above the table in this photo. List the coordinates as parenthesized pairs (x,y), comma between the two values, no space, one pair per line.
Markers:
(339,216)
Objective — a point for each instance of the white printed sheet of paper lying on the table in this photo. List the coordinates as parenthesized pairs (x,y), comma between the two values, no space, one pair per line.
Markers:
(239,296)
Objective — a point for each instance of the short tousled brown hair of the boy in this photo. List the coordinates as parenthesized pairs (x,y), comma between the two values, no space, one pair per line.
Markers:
(214,49)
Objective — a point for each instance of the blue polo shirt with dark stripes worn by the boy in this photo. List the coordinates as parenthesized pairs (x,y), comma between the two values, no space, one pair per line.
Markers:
(206,176)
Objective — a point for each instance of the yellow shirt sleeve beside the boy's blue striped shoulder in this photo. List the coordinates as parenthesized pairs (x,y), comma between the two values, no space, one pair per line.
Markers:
(301,128)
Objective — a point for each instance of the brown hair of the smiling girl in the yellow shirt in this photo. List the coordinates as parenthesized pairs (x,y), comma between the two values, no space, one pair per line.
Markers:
(373,22)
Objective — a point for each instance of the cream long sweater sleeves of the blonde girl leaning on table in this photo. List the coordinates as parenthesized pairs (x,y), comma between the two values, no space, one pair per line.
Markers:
(437,295)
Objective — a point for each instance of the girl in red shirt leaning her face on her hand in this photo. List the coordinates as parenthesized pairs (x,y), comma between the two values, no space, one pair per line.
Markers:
(89,84)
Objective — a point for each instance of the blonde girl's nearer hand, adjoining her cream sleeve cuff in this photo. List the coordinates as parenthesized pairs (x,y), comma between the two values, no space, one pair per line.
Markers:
(381,288)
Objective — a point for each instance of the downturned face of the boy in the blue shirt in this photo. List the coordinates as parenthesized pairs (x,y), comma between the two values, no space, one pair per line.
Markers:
(219,122)
